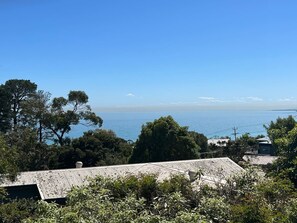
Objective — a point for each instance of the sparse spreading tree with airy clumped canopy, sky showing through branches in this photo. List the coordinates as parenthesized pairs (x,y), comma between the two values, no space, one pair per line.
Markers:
(64,113)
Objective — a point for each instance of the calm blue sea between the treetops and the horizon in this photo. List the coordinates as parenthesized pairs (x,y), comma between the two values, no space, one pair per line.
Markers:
(213,123)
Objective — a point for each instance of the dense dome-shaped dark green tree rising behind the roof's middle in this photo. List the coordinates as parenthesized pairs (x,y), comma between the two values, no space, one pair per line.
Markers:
(164,140)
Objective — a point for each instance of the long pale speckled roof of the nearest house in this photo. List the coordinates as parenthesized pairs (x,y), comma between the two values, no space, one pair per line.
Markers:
(54,184)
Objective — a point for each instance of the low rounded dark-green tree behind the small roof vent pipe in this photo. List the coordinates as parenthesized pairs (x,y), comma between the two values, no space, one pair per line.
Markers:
(95,148)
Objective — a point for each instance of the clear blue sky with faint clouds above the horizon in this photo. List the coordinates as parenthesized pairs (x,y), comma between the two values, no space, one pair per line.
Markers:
(155,53)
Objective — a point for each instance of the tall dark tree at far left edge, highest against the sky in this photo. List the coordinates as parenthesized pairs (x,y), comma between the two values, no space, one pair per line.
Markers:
(16,92)
